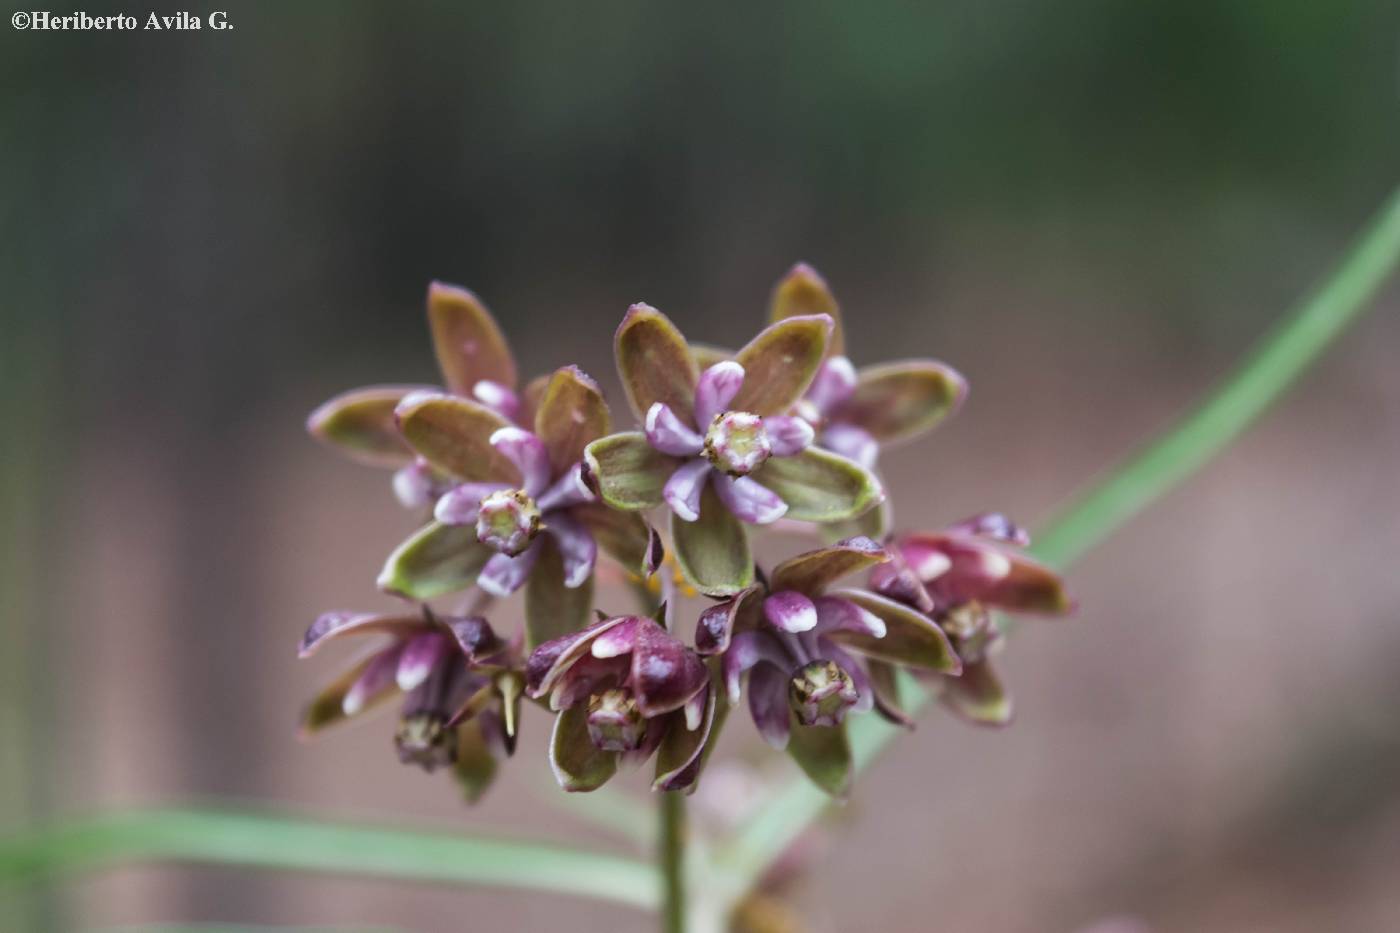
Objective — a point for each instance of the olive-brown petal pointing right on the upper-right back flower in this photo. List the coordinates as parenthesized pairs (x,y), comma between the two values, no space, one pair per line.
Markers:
(899,401)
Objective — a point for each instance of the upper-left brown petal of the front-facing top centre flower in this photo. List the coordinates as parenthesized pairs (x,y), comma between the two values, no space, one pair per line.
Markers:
(654,362)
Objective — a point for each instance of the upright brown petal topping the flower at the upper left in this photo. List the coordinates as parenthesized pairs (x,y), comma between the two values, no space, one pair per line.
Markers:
(468,344)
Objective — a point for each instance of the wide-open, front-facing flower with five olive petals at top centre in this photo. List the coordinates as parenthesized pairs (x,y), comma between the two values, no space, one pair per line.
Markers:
(720,448)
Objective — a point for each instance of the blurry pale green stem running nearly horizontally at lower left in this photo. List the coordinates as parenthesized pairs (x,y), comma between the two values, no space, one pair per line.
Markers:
(307,845)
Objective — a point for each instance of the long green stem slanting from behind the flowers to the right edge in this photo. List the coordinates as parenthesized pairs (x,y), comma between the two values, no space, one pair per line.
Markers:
(1258,383)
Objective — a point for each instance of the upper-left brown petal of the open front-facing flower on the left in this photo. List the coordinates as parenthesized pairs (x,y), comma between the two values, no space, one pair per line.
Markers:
(454,435)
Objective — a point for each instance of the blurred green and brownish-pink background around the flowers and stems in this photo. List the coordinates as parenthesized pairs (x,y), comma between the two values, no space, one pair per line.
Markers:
(1090,208)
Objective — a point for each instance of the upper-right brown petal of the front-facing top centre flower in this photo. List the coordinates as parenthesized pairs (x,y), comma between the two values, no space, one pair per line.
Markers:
(780,364)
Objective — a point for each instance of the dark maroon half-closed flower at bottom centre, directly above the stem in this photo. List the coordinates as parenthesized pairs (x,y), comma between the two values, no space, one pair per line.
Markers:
(625,690)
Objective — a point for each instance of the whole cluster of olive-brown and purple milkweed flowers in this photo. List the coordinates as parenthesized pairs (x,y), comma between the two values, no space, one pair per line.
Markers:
(527,490)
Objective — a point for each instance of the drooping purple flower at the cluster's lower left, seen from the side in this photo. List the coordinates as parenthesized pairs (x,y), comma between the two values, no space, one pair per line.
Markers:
(461,689)
